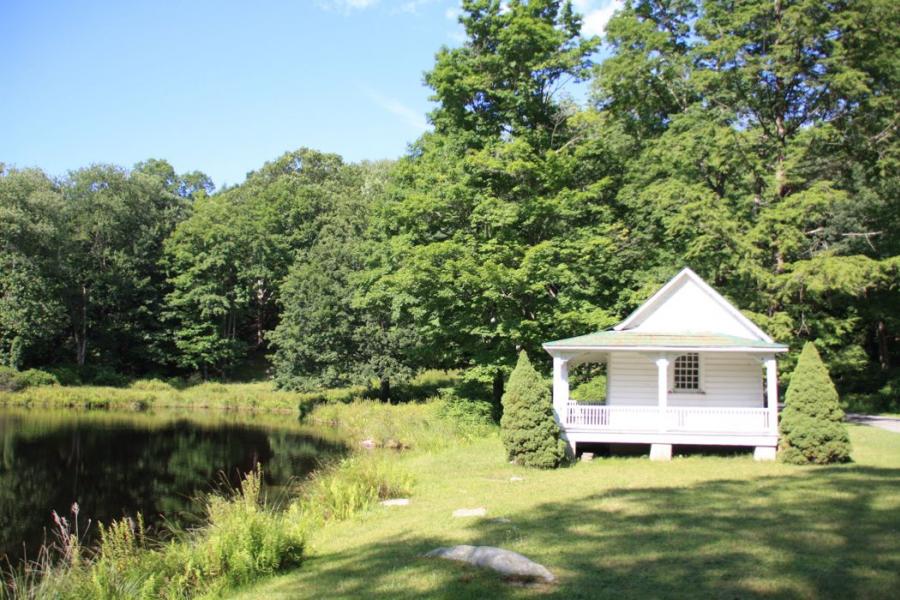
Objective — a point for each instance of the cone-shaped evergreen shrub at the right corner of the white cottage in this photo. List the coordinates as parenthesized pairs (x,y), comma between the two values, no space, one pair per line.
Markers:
(812,424)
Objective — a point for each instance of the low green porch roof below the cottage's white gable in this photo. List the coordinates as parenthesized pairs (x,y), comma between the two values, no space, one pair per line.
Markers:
(642,339)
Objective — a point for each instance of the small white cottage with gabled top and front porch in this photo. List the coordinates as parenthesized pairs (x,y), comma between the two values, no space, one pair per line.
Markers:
(685,368)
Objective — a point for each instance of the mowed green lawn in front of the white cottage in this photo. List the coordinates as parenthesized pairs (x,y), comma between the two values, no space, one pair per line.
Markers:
(700,527)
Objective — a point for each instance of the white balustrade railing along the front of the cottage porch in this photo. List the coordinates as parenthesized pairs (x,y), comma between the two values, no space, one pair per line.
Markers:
(700,419)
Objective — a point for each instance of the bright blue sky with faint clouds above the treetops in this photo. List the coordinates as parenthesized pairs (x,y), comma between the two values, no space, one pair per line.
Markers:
(216,85)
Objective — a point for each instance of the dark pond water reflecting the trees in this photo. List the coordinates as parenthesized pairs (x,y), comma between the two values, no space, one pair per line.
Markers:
(119,464)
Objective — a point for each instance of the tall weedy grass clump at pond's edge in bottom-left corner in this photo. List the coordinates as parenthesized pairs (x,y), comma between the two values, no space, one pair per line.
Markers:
(243,540)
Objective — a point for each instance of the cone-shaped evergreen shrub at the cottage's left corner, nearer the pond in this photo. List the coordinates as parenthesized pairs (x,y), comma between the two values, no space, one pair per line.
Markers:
(527,428)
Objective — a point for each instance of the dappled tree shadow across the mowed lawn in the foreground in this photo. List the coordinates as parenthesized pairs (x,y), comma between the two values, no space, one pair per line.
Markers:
(824,533)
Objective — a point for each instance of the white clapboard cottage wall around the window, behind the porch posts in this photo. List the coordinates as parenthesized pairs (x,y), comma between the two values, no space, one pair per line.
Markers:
(727,380)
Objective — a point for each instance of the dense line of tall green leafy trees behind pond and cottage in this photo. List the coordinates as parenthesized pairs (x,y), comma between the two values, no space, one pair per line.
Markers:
(754,141)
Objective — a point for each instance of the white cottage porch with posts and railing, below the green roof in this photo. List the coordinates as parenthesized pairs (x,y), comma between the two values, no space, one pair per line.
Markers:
(709,395)
